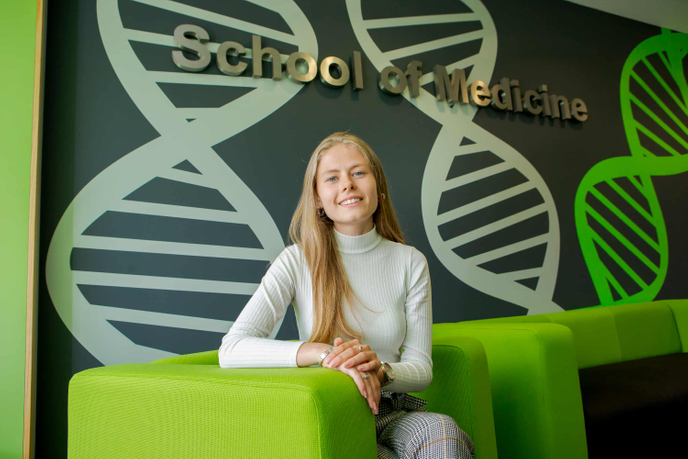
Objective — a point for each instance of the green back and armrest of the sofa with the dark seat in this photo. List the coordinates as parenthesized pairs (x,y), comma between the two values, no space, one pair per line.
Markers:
(534,364)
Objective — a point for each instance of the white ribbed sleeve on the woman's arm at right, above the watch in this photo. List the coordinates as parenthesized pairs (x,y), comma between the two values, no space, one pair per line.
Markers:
(414,372)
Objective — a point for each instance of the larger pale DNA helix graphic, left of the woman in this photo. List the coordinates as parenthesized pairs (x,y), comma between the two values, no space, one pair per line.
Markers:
(85,261)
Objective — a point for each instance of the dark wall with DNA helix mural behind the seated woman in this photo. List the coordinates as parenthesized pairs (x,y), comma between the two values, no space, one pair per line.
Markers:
(167,192)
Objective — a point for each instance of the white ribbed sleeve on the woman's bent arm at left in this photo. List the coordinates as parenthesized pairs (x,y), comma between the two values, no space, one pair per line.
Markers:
(247,345)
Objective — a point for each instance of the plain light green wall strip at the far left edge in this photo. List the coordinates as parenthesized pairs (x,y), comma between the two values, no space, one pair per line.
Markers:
(17,34)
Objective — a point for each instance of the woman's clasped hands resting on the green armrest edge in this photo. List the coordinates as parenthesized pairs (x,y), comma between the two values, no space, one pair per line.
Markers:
(361,364)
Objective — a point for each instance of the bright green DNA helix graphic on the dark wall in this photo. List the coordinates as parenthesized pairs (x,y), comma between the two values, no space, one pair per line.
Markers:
(619,220)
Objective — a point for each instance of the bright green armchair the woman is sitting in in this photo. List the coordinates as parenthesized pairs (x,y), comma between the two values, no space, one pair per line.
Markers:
(188,407)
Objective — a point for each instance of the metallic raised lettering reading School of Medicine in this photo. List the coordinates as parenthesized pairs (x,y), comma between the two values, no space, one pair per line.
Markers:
(301,67)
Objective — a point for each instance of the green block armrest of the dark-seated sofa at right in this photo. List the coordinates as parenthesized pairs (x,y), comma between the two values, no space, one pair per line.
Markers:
(538,410)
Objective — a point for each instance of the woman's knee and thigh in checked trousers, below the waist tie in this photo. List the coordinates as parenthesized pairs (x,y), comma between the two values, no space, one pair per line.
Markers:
(420,435)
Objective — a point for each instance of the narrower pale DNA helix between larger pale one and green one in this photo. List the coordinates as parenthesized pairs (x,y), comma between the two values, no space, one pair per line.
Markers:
(486,210)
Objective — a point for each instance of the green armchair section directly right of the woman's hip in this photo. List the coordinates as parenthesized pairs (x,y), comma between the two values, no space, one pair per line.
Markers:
(461,389)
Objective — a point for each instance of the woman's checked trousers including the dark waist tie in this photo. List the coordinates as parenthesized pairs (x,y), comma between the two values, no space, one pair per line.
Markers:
(405,430)
